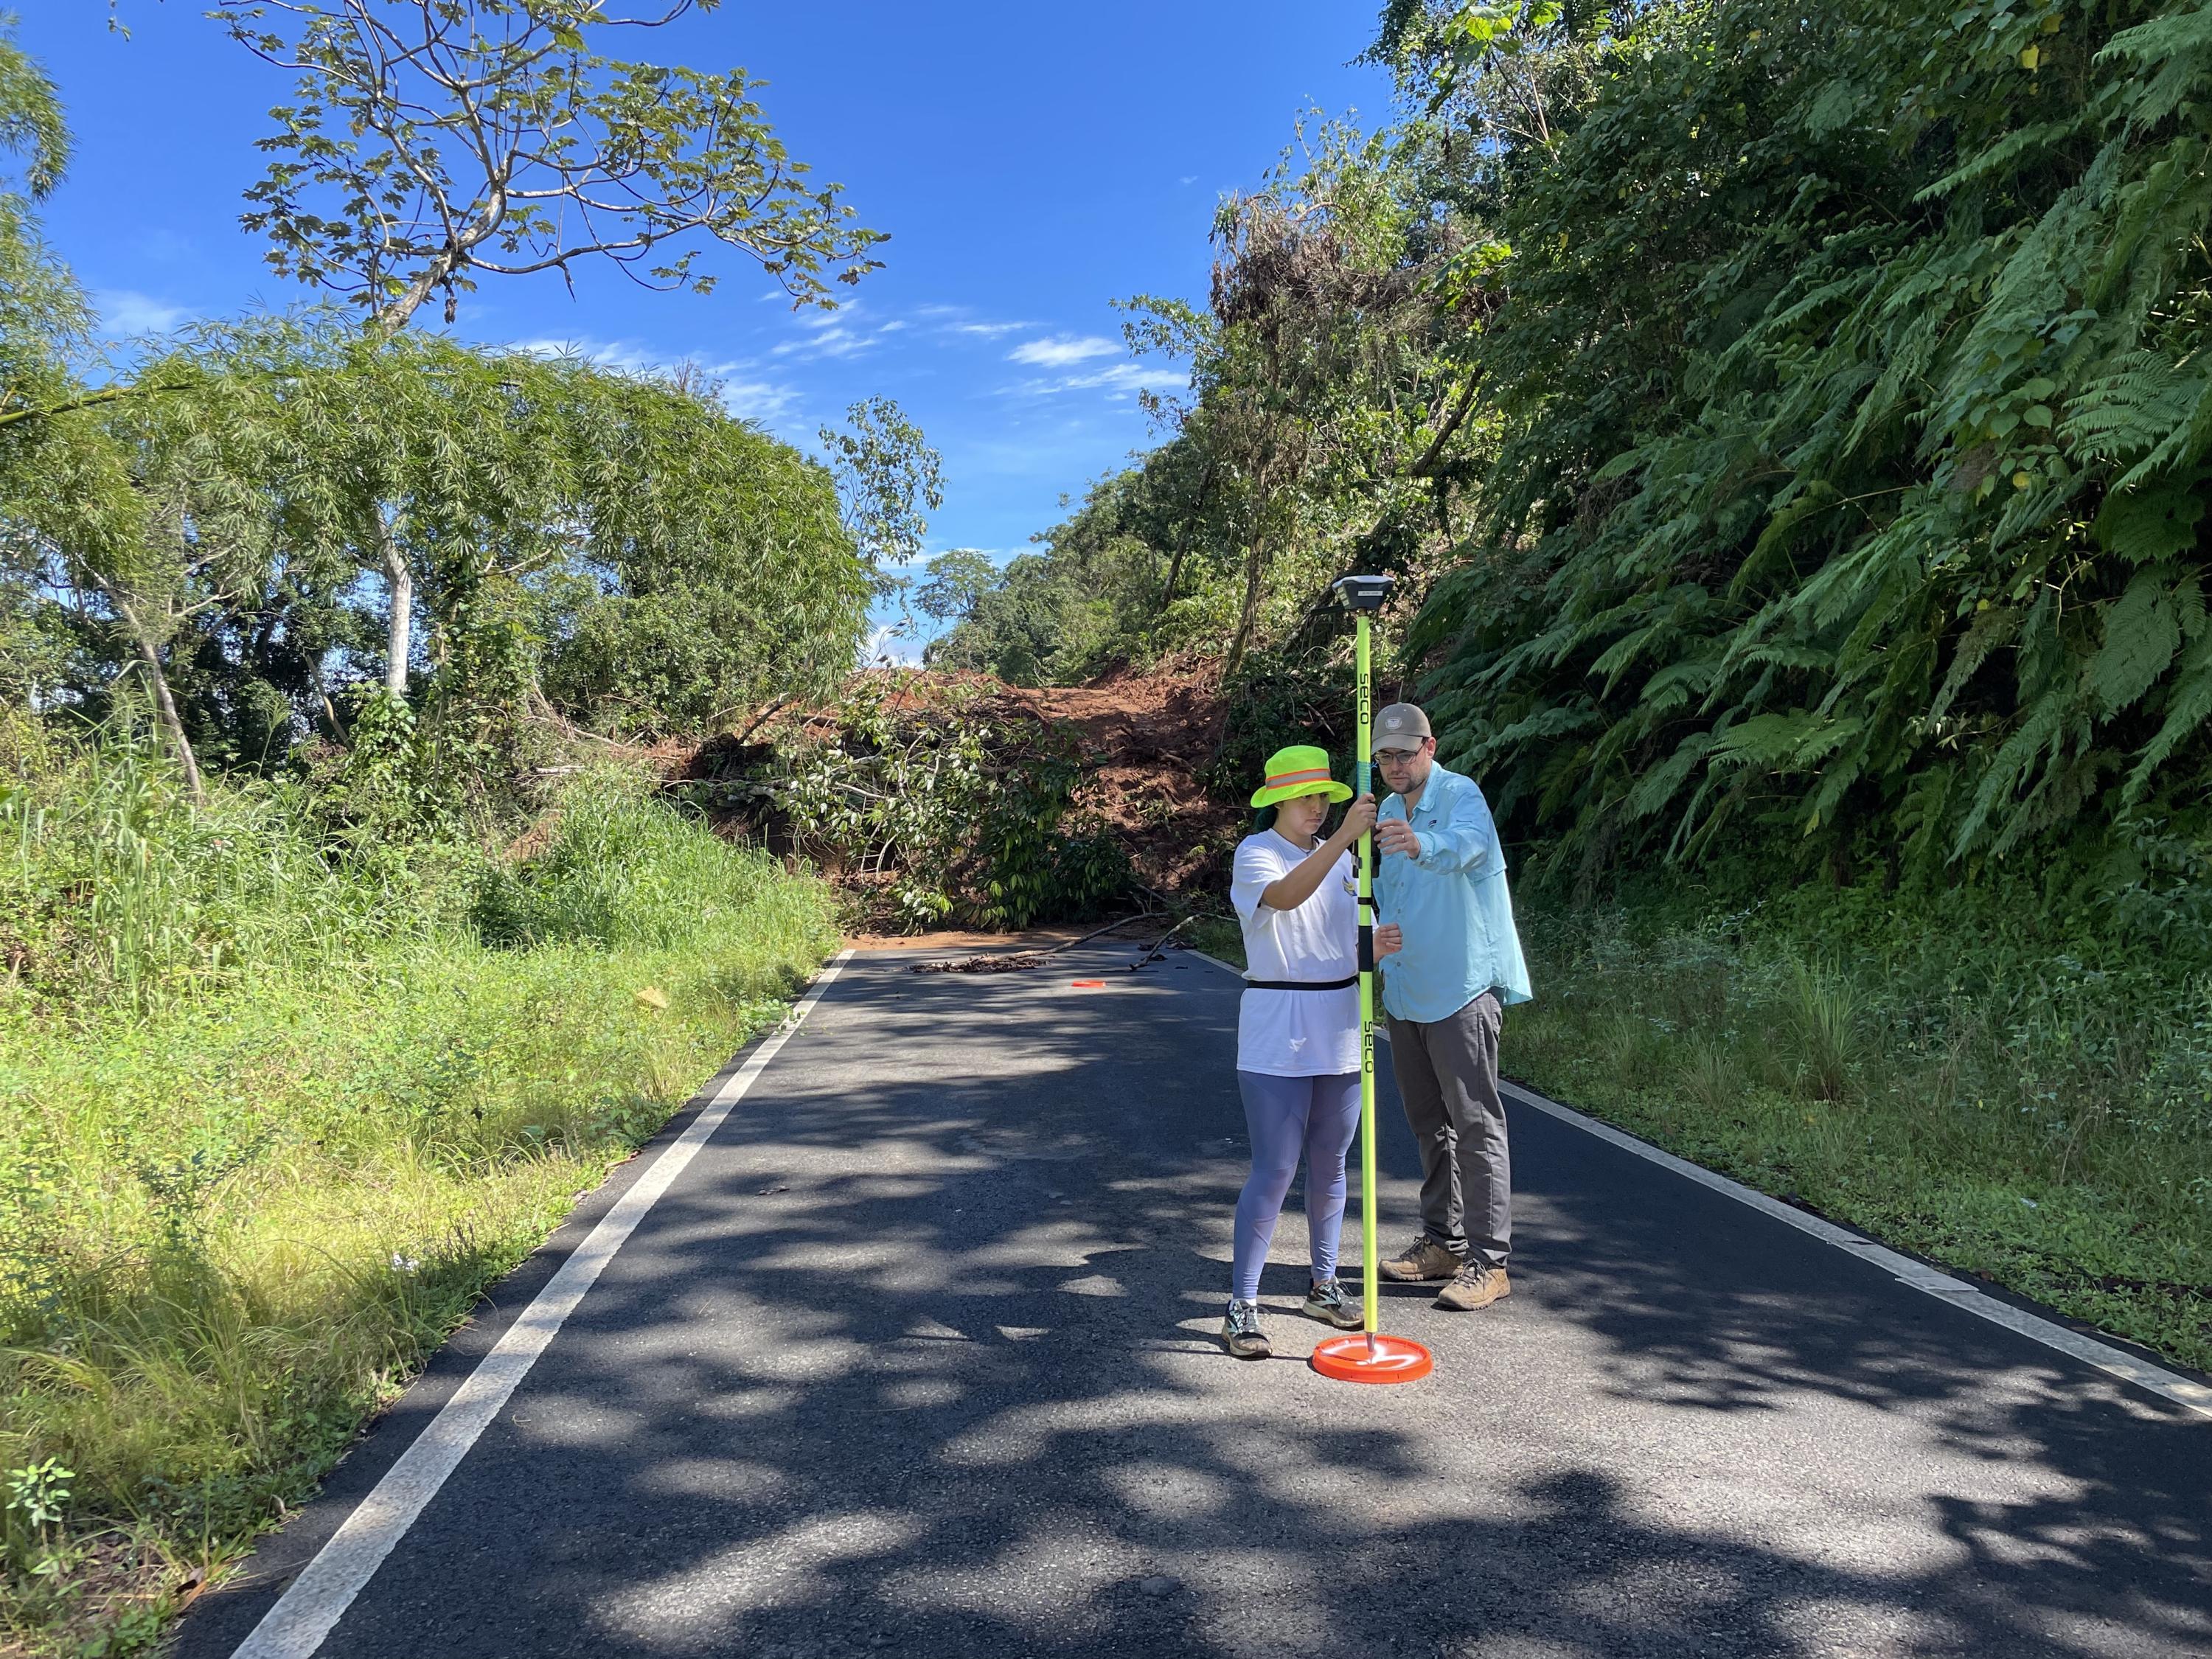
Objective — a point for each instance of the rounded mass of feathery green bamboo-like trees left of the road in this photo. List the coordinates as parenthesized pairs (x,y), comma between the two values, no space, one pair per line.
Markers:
(614,550)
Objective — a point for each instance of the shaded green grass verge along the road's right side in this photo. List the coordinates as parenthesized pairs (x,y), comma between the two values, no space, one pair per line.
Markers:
(1961,1087)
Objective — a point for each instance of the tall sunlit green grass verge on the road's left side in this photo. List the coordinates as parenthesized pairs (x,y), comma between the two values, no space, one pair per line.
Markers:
(275,1116)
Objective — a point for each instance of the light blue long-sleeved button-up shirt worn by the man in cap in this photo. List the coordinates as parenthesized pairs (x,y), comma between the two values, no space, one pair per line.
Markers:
(1450,904)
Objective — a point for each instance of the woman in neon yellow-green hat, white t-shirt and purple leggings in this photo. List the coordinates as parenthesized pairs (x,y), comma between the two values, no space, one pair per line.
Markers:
(1297,1027)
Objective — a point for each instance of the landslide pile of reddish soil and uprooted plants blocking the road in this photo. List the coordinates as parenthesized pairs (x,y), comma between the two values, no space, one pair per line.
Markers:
(957,800)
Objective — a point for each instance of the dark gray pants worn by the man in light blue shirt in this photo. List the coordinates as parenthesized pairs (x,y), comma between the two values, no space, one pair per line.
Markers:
(1448,1078)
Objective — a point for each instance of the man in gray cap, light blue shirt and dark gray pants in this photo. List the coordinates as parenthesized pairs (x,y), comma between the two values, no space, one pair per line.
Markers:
(1443,881)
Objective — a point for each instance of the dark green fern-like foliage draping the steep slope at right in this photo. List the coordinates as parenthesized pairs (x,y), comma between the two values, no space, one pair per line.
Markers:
(1850,455)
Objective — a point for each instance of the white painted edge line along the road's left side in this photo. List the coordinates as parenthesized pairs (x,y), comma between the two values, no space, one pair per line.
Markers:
(317,1598)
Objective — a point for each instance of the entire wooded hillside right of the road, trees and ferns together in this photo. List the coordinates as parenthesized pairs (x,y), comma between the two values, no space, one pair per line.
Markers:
(1791,428)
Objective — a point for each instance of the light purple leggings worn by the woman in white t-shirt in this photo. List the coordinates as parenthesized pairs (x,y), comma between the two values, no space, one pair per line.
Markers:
(1291,1116)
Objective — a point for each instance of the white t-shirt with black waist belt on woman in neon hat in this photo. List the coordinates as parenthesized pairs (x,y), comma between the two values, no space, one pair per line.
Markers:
(1297,1034)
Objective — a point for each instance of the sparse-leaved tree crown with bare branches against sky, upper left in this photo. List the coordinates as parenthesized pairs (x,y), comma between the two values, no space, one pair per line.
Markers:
(472,136)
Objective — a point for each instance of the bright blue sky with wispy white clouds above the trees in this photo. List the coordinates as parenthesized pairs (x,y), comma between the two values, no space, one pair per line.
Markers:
(1030,163)
